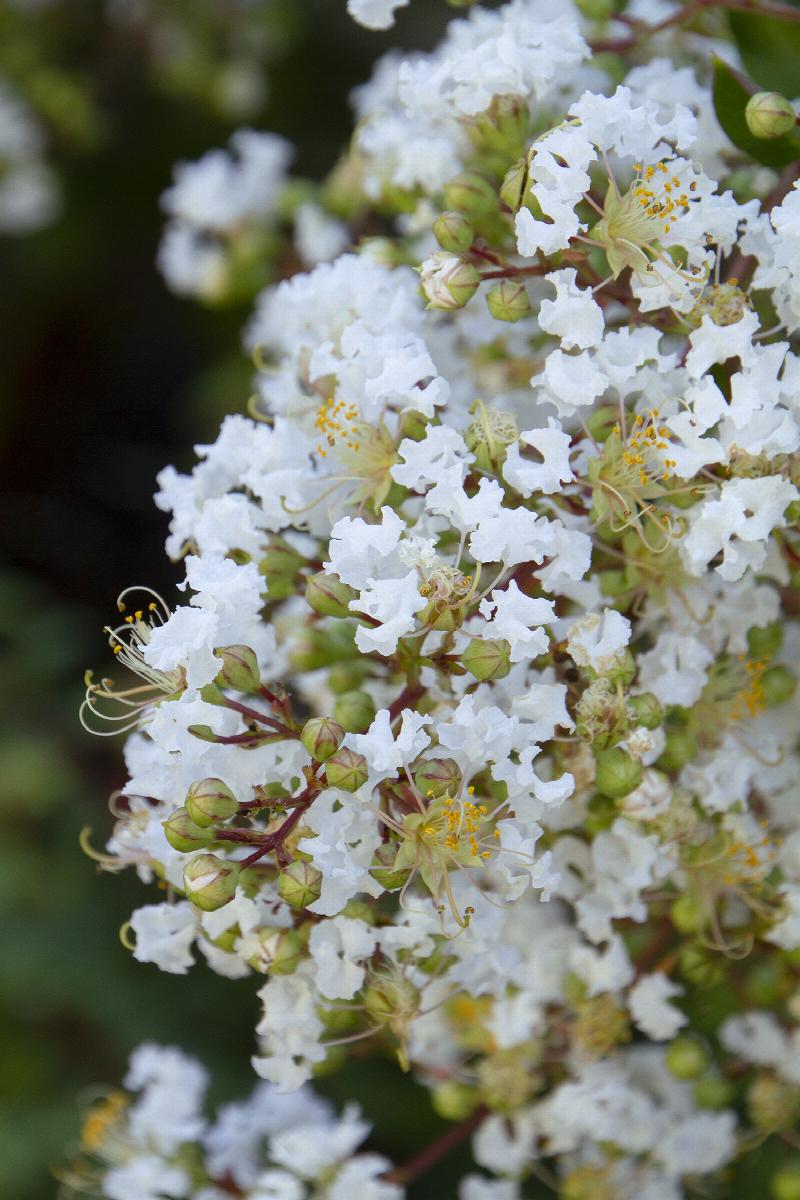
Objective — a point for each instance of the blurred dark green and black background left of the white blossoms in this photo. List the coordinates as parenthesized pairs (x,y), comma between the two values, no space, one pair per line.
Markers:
(106,377)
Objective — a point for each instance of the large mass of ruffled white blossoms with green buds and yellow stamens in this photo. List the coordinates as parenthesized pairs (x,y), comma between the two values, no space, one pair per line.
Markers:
(476,733)
